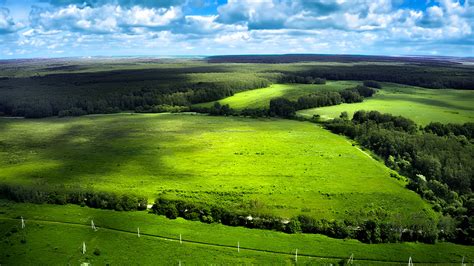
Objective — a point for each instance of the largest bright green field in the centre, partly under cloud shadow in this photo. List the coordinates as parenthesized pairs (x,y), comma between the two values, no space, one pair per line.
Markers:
(265,166)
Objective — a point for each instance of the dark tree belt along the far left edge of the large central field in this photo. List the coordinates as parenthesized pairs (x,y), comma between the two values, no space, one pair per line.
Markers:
(138,100)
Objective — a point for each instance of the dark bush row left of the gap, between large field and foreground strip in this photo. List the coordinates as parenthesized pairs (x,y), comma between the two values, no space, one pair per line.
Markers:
(83,197)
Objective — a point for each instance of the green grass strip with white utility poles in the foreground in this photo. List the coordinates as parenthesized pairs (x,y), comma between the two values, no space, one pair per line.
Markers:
(54,235)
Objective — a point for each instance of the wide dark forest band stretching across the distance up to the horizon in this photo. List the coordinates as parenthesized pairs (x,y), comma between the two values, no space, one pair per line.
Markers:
(62,88)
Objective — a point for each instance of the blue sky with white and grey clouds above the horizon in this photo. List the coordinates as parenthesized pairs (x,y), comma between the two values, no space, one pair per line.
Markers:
(63,28)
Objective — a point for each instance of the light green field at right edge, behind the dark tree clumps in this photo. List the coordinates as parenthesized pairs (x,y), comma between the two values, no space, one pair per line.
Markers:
(419,104)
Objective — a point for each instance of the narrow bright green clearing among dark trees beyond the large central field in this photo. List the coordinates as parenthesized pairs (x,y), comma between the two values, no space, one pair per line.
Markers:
(260,98)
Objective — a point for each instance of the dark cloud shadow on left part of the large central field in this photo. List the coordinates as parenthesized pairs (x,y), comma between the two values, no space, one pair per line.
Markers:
(101,149)
